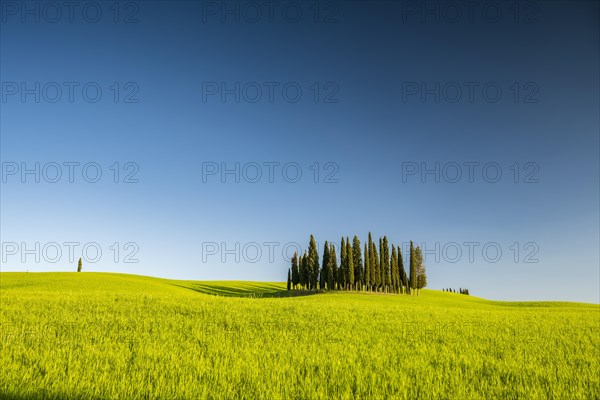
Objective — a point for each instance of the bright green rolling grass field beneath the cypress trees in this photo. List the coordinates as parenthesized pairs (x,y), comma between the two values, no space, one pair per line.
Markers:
(104,336)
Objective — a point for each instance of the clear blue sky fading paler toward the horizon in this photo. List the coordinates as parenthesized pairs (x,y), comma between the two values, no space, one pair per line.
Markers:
(176,93)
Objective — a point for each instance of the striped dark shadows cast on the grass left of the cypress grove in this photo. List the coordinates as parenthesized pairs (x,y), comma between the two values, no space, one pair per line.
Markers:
(248,290)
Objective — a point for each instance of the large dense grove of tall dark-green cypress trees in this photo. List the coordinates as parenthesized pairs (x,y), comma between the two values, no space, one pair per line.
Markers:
(370,268)
